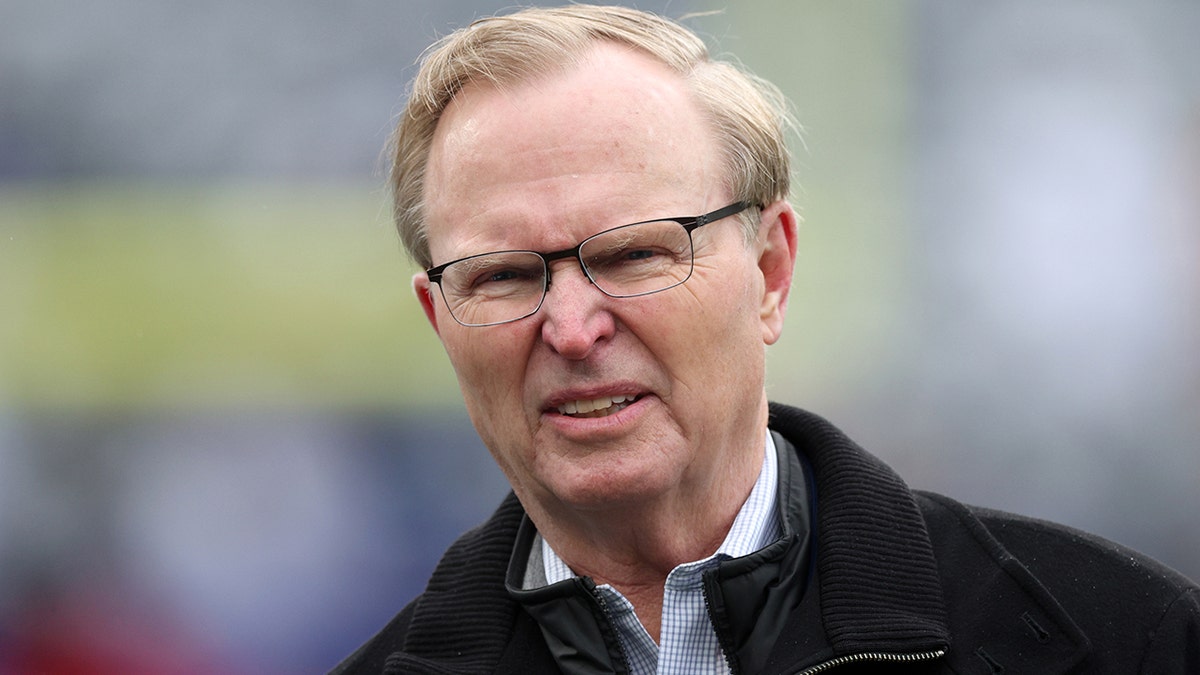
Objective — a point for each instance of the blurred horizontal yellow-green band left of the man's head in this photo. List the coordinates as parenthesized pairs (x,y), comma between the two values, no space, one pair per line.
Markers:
(151,296)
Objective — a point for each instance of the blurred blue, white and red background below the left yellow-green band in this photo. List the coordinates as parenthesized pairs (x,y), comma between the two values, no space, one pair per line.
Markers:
(250,542)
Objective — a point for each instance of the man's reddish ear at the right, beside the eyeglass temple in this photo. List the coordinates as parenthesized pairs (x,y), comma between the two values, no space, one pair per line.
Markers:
(777,260)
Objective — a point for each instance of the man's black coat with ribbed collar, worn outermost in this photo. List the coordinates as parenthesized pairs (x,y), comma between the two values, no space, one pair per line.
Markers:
(907,583)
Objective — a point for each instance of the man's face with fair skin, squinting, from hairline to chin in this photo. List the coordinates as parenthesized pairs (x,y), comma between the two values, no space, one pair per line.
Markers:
(543,166)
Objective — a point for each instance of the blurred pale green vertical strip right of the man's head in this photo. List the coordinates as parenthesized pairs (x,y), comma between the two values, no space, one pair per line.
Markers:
(848,68)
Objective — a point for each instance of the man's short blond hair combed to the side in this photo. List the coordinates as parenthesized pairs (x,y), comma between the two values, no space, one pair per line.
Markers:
(749,116)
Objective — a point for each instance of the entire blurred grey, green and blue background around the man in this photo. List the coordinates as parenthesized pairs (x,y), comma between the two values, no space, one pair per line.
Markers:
(230,444)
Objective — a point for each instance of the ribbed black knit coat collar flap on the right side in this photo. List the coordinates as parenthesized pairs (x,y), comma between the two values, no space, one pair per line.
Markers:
(880,589)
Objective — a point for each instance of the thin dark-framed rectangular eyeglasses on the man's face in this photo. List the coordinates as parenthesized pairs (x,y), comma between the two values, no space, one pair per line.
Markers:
(625,262)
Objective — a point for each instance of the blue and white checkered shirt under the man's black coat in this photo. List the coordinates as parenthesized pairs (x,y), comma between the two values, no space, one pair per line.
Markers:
(688,640)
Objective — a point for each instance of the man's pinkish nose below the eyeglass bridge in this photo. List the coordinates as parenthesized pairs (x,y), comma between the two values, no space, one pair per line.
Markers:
(575,316)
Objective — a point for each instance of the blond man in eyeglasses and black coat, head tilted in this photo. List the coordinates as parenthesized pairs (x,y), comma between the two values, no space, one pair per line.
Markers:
(602,211)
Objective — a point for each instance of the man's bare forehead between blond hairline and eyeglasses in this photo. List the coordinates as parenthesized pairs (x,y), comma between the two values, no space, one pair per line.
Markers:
(611,140)
